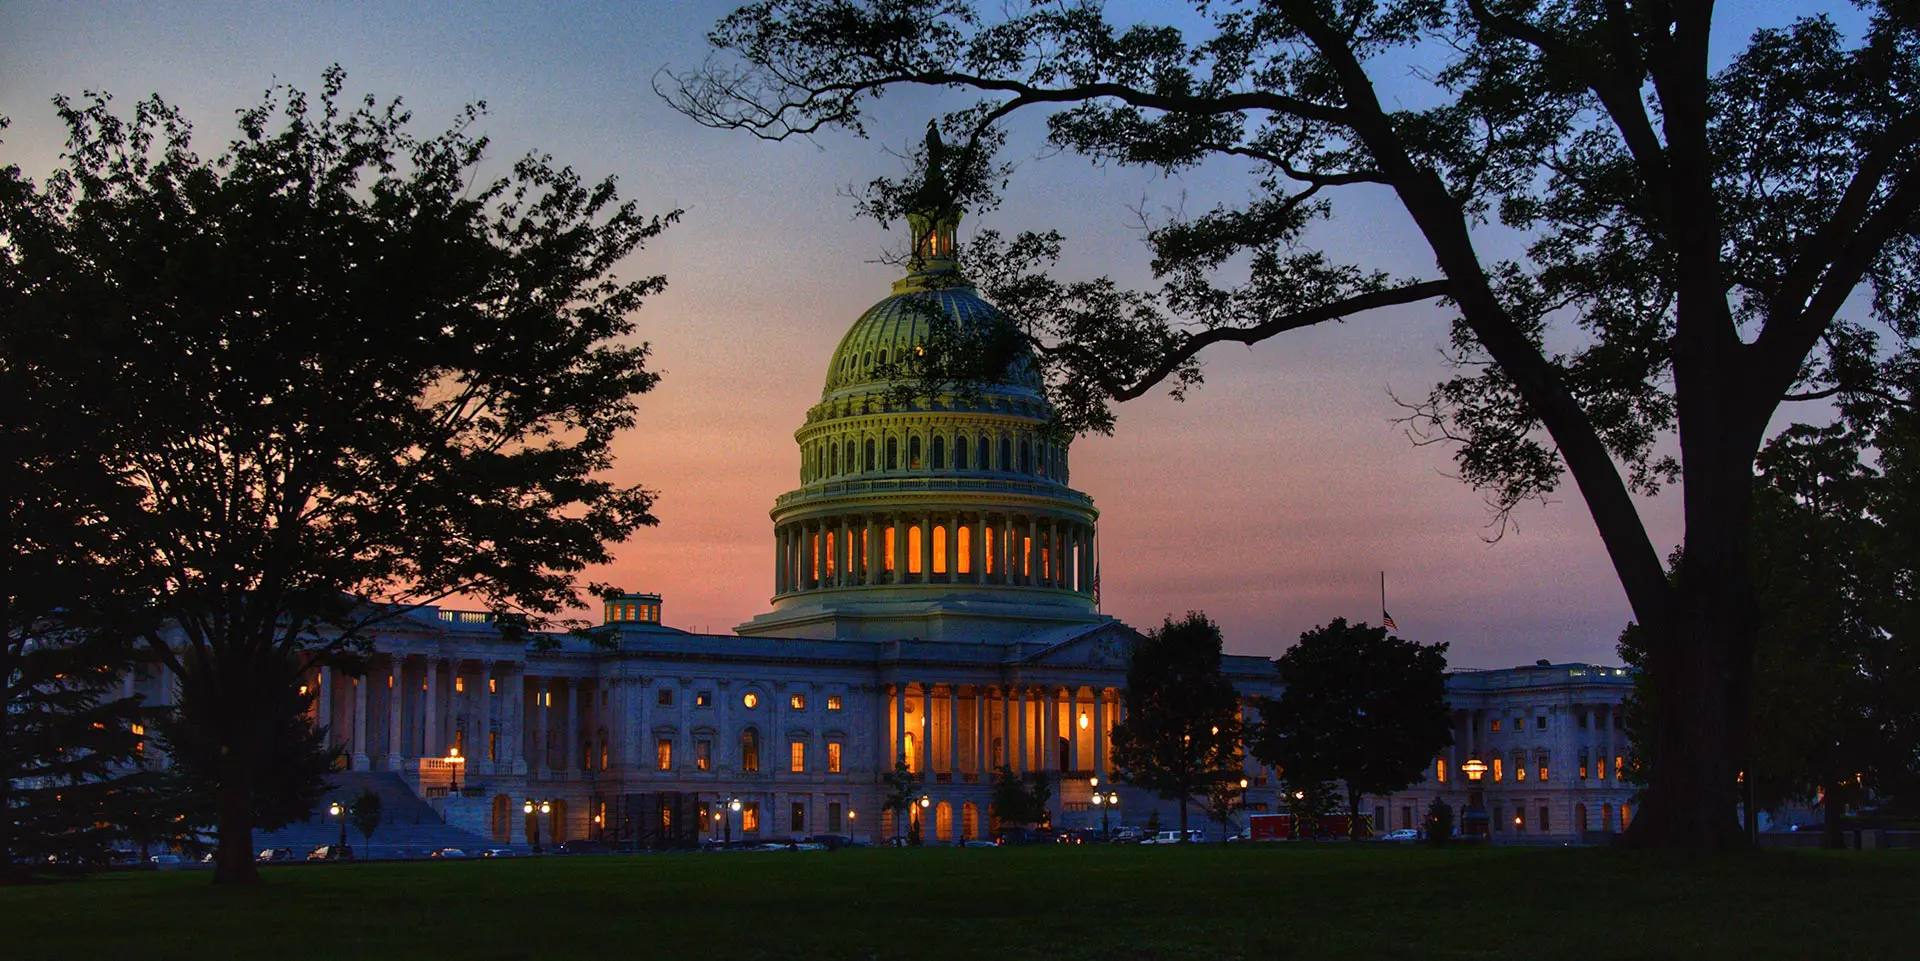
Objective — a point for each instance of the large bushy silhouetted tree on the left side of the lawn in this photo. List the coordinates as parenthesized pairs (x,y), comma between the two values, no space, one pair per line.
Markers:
(347,375)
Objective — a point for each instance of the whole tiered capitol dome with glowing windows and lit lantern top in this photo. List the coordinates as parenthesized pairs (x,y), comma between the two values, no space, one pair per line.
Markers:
(944,517)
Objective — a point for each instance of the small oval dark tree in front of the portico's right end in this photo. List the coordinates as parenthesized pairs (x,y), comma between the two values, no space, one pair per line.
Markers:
(1184,716)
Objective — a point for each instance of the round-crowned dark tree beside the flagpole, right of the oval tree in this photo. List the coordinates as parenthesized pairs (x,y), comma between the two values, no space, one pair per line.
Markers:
(1358,707)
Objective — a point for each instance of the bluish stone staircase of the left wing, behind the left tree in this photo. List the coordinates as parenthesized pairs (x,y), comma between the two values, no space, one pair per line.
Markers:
(410,828)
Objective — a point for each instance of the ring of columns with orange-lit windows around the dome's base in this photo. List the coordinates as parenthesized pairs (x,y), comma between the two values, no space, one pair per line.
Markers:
(936,546)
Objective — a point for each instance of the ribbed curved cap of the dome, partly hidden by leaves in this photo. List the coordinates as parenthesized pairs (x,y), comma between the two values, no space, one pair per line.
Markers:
(901,323)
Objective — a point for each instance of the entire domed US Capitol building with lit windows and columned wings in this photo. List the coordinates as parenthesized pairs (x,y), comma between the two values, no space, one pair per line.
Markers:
(934,603)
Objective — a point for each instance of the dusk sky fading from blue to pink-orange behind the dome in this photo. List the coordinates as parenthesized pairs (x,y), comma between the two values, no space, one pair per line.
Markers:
(1270,500)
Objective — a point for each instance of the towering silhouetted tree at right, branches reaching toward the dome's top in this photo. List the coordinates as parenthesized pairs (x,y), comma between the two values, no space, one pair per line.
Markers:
(1698,222)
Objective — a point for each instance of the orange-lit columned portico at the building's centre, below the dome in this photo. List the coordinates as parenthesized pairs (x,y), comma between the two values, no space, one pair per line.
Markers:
(963,732)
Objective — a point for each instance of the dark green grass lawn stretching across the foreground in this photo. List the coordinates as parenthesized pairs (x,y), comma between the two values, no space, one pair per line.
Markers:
(1057,904)
